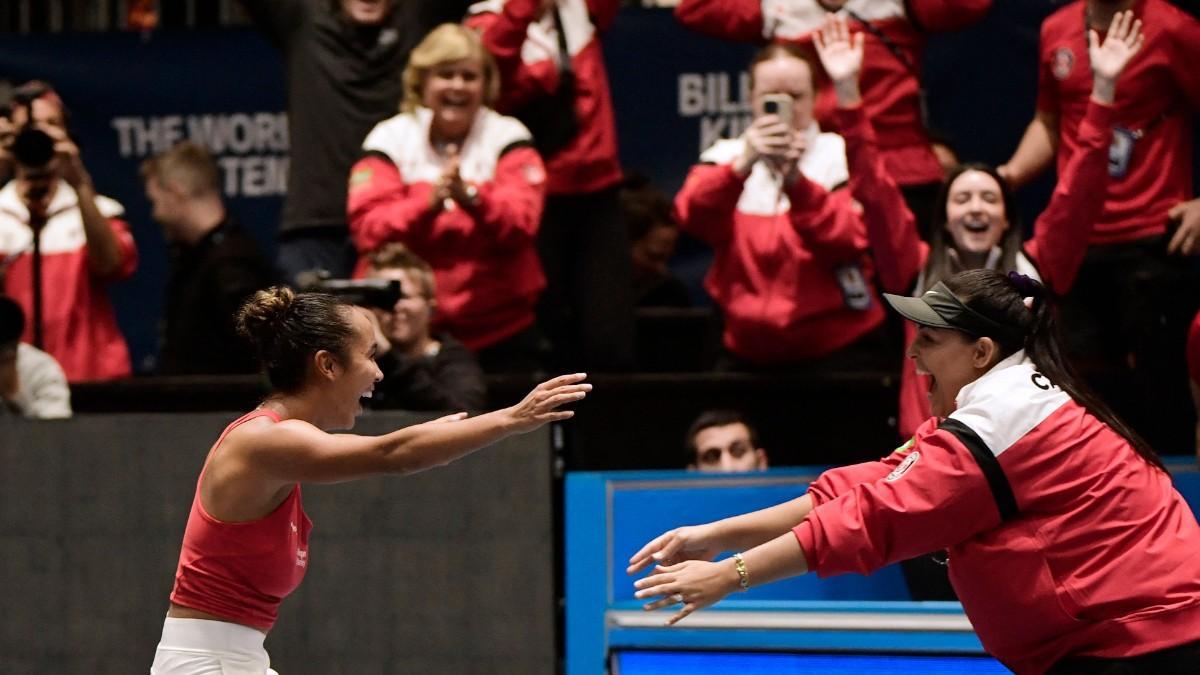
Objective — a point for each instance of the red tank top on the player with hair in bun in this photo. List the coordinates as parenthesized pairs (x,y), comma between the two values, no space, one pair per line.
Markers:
(243,571)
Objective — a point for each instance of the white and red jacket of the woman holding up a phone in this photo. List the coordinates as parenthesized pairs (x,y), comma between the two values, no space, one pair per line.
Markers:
(790,268)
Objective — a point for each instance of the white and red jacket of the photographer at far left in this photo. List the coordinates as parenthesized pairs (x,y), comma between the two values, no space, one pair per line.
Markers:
(79,324)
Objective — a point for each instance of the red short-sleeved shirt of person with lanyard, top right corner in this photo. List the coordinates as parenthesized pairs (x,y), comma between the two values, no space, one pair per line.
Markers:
(1156,100)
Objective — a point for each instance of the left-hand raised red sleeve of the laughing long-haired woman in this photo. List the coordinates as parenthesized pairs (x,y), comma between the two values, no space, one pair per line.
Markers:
(891,228)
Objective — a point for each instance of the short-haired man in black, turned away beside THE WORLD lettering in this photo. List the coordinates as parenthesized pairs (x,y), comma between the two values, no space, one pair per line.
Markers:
(215,265)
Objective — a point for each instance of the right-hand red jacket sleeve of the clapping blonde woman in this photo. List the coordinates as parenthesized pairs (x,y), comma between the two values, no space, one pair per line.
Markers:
(511,206)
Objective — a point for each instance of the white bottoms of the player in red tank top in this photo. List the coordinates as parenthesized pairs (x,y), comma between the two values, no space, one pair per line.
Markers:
(200,647)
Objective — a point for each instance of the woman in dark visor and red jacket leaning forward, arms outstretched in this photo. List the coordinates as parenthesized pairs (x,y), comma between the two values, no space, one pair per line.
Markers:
(1067,545)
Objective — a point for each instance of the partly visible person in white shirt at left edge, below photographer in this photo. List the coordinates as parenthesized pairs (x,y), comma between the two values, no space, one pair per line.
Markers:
(32,383)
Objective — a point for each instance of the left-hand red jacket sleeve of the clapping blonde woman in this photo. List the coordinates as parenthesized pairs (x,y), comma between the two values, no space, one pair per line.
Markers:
(383,208)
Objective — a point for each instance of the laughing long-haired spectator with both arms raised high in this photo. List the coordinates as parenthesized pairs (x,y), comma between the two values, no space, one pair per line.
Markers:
(977,223)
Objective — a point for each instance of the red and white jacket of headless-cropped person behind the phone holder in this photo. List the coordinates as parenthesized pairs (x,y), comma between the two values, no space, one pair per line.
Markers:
(891,89)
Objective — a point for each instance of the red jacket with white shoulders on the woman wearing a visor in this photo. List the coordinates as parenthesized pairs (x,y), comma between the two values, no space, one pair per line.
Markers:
(1061,540)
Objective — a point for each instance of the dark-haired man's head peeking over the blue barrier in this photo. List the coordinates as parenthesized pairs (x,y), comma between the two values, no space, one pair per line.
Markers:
(722,441)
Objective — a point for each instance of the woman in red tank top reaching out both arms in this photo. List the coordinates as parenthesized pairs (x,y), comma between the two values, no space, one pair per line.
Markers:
(247,543)
